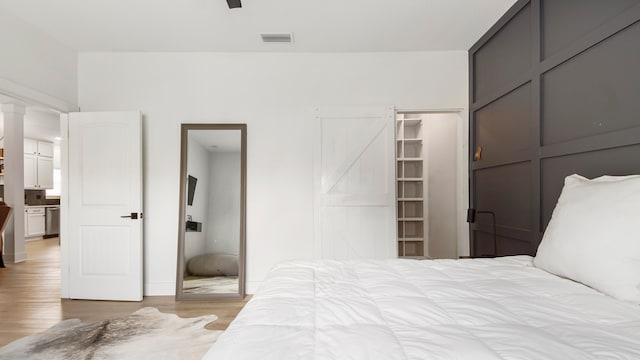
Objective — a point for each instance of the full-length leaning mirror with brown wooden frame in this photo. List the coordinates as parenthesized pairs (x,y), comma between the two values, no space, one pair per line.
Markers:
(211,242)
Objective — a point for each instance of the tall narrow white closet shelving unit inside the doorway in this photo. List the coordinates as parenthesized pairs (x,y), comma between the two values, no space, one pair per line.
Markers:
(410,178)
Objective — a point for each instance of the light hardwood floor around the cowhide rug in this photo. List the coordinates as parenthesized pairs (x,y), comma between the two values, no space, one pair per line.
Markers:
(30,298)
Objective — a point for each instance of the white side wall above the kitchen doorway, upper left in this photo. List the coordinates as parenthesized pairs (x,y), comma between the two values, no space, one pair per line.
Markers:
(34,60)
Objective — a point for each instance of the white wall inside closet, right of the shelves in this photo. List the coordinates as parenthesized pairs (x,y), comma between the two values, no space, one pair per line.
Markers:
(440,132)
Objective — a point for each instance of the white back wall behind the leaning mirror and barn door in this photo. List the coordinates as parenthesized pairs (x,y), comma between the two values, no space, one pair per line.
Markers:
(275,94)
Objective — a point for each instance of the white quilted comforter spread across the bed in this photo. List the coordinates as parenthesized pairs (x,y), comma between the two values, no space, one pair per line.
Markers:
(476,309)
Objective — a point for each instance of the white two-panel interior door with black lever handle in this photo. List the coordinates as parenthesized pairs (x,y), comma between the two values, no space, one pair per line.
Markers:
(105,206)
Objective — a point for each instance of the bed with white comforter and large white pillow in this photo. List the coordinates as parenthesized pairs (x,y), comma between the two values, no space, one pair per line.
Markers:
(502,308)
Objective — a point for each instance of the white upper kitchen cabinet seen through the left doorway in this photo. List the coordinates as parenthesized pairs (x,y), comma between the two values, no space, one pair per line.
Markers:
(38,164)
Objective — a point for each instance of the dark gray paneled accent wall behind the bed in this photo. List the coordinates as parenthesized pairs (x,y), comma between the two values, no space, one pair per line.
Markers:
(554,90)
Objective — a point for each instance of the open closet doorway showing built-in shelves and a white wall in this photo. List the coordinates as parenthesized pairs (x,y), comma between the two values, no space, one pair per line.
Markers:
(428,176)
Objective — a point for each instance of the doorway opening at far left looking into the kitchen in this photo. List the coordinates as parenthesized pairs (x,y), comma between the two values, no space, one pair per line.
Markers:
(30,143)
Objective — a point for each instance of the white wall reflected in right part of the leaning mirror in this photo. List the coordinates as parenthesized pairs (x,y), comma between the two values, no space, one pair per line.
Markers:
(223,224)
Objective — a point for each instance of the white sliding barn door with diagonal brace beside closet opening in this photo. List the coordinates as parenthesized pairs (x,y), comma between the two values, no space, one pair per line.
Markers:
(355,196)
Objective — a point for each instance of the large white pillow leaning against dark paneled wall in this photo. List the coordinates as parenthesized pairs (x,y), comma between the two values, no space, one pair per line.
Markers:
(594,235)
